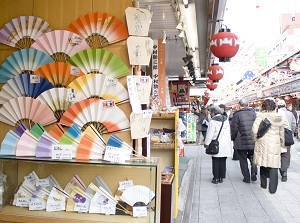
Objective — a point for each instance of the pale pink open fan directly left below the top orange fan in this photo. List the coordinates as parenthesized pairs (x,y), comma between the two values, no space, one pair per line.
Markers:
(60,44)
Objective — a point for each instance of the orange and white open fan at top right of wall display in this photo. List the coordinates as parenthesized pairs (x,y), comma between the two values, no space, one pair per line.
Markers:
(99,29)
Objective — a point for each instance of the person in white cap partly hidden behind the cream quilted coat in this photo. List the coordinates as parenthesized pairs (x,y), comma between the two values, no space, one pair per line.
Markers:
(286,150)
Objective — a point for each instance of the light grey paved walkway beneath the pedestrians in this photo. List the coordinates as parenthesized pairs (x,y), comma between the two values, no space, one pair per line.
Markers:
(233,200)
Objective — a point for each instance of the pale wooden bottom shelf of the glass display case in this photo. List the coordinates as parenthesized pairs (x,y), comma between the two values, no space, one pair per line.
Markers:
(17,214)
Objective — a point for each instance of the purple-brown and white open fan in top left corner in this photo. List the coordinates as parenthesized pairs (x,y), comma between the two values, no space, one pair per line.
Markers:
(21,32)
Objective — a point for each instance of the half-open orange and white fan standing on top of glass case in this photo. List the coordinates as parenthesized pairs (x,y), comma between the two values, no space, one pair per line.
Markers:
(91,145)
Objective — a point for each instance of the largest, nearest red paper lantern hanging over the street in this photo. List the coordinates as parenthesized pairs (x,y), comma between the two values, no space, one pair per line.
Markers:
(224,45)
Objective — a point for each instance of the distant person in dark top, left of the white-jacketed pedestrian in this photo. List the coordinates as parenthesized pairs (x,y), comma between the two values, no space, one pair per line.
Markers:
(201,125)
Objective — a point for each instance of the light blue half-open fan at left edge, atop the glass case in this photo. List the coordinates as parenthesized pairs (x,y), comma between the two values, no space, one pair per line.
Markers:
(9,143)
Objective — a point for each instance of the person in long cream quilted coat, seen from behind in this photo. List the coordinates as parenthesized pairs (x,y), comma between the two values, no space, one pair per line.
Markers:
(267,149)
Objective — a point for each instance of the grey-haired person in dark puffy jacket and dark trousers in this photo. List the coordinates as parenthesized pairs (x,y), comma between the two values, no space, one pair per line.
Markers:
(241,127)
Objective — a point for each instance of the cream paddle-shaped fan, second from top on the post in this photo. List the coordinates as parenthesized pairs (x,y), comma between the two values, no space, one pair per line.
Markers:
(139,50)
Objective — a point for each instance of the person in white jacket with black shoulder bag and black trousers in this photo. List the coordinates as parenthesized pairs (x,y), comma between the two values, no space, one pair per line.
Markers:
(218,160)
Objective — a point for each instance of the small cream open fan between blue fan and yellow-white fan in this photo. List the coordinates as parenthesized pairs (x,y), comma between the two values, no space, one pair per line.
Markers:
(57,99)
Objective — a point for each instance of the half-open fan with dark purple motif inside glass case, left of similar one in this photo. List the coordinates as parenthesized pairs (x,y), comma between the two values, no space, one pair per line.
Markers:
(78,201)
